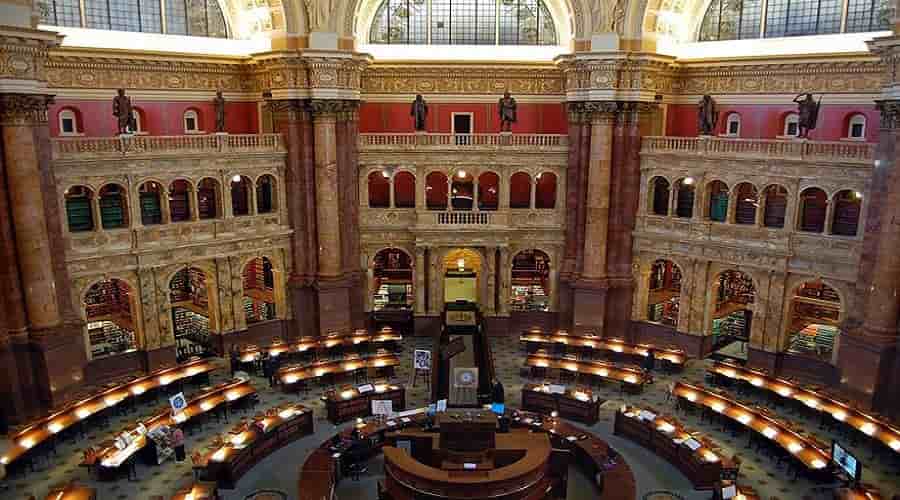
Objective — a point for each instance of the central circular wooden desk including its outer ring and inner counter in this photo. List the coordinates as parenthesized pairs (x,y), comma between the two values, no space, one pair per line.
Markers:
(527,462)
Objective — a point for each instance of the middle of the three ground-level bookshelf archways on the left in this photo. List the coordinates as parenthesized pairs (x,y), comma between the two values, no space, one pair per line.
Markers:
(190,311)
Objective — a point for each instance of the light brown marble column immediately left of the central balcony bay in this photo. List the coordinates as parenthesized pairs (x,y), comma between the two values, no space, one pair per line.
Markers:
(333,286)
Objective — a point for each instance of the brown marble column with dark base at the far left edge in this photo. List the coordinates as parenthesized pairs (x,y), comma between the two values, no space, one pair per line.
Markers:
(55,335)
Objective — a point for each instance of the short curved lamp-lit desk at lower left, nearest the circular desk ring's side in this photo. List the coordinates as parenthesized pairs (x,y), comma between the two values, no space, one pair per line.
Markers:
(250,442)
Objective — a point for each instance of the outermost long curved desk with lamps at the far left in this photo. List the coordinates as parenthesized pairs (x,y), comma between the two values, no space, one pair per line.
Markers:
(47,427)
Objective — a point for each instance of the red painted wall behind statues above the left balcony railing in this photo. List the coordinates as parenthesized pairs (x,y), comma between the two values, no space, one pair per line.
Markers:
(157,118)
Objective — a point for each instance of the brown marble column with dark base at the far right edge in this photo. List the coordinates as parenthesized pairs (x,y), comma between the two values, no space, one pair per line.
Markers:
(868,349)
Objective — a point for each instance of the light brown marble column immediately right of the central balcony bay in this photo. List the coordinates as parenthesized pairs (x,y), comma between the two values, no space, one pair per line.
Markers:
(591,289)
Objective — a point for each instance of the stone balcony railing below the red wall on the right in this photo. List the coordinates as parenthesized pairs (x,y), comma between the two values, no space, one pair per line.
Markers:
(836,152)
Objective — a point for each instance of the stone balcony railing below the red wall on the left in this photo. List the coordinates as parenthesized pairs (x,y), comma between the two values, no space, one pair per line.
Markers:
(149,145)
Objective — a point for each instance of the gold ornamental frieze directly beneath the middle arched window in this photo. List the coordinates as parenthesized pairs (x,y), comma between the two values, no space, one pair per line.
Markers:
(415,79)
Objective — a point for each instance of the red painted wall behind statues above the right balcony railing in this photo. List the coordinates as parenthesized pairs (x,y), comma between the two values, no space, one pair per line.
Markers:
(766,121)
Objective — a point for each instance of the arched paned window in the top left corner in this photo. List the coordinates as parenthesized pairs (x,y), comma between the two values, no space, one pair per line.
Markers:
(183,17)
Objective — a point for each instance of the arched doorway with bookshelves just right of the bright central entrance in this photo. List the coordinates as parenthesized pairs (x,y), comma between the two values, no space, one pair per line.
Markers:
(530,288)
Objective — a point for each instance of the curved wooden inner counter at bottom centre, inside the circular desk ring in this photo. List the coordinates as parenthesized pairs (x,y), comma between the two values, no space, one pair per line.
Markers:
(407,478)
